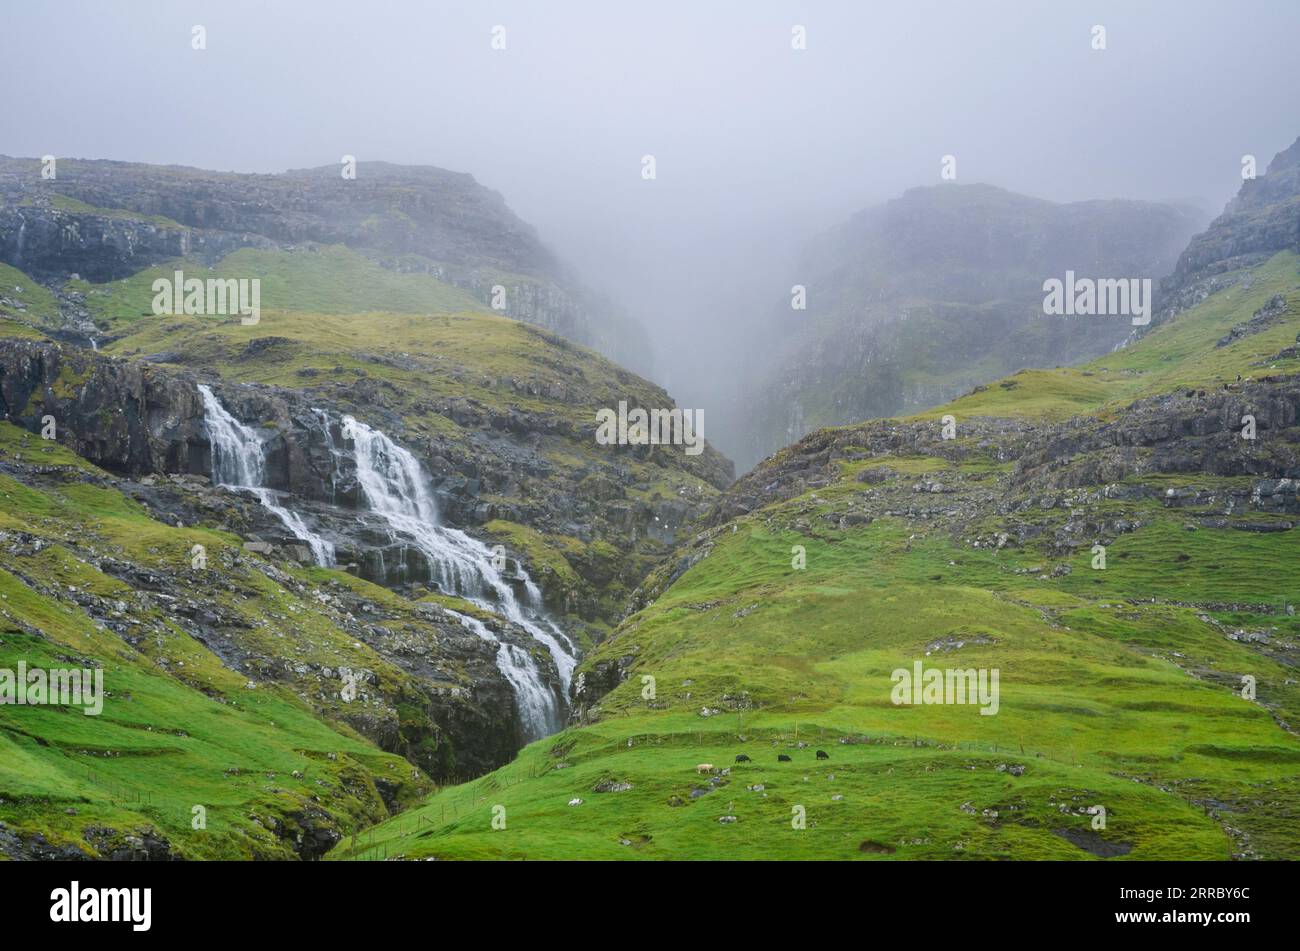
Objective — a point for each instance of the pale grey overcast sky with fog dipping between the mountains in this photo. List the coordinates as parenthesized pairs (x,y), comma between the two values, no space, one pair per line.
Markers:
(757,145)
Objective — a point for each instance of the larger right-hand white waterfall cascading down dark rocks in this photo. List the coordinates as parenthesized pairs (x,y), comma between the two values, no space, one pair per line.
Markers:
(397,489)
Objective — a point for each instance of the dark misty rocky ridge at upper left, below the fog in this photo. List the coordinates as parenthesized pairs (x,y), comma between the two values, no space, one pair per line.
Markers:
(107,220)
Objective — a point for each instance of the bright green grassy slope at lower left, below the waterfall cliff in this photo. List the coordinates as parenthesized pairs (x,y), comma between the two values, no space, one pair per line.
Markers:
(179,728)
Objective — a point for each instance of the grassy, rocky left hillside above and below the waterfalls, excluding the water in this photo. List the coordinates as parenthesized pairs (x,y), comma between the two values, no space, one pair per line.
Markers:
(226,680)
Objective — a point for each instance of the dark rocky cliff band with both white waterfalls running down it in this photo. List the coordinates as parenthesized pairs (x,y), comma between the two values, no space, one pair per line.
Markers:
(306,485)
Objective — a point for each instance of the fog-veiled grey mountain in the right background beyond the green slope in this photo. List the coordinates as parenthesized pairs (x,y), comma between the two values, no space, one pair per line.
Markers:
(916,302)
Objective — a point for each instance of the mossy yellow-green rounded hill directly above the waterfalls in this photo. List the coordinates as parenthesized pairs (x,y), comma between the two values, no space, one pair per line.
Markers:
(504,412)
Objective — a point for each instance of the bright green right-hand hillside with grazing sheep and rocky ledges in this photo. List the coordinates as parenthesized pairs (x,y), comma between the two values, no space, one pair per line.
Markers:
(869,549)
